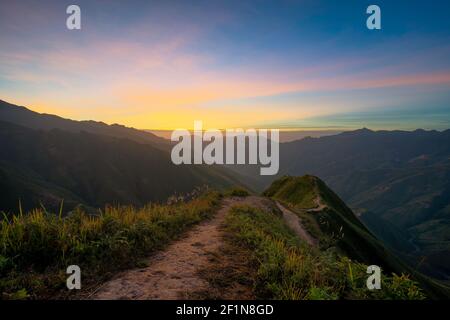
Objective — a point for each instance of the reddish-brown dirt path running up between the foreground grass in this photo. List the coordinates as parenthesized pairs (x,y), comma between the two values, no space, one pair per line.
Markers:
(172,273)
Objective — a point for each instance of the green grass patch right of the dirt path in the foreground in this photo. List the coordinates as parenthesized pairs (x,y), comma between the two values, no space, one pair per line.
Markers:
(289,269)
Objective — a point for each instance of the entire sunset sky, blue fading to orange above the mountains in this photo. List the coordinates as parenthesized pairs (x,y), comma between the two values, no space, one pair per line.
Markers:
(293,65)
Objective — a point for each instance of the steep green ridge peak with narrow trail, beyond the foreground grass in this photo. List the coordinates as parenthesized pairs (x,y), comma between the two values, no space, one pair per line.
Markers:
(328,219)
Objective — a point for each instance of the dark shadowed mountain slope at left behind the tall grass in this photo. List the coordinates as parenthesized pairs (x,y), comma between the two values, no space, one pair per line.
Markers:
(88,163)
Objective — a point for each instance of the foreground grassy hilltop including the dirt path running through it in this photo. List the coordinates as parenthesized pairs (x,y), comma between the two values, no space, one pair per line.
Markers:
(214,246)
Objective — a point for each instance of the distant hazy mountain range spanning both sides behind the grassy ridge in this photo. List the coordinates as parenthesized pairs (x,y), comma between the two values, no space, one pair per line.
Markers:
(397,182)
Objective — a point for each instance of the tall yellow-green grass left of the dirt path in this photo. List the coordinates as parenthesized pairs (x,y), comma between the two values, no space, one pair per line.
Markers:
(36,248)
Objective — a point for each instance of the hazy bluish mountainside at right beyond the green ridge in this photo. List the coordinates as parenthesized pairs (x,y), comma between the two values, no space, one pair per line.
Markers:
(397,182)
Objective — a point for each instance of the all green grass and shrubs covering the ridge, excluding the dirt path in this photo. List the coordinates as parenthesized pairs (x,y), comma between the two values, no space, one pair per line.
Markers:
(261,256)
